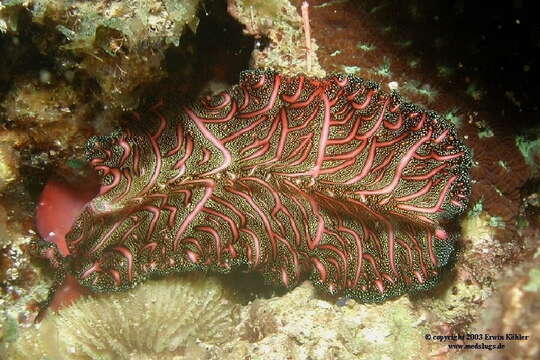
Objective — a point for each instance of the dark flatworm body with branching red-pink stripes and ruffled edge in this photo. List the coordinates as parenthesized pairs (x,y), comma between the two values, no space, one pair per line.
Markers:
(289,176)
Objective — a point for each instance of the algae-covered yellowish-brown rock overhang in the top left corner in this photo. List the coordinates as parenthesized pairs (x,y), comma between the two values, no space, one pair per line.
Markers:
(119,44)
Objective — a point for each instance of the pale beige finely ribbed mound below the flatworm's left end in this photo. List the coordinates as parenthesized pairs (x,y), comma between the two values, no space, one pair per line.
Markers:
(174,318)
